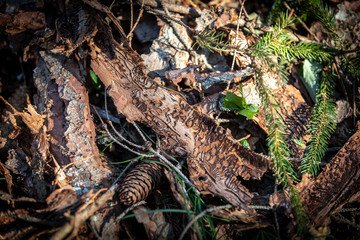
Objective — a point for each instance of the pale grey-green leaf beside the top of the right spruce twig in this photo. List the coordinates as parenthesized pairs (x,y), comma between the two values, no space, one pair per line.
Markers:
(309,74)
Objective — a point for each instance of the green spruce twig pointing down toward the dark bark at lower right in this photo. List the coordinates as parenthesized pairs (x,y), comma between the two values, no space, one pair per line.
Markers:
(321,126)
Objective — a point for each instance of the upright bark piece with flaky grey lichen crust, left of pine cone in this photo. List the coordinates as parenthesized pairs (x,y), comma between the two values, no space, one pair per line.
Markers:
(65,102)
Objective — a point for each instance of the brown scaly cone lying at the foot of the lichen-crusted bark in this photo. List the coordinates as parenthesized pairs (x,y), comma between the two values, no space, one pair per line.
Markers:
(139,182)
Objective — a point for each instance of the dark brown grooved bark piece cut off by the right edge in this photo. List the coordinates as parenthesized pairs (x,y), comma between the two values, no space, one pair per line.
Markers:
(336,184)
